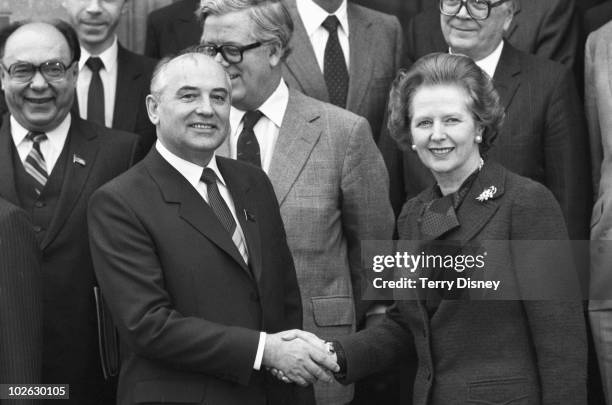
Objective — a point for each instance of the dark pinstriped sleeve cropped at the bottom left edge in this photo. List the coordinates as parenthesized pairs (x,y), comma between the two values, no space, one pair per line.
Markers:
(20,300)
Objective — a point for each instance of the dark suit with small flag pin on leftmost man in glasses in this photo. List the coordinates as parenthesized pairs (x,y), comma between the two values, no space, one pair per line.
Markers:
(70,339)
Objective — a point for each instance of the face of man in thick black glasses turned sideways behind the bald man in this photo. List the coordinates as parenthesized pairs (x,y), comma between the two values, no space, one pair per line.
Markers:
(257,76)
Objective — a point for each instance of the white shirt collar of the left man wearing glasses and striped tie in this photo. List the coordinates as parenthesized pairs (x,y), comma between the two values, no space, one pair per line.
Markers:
(50,148)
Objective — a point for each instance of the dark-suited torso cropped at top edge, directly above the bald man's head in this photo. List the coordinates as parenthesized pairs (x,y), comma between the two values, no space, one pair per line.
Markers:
(172,28)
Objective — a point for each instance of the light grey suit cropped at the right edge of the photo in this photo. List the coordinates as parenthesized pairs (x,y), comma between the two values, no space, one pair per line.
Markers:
(598,101)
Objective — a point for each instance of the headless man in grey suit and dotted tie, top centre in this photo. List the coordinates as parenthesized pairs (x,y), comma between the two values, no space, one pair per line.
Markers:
(370,54)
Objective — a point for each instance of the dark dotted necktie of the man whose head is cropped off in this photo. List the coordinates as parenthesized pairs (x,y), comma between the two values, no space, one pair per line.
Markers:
(334,65)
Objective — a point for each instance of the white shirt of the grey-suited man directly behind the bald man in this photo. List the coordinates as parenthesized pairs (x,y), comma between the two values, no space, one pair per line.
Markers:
(267,128)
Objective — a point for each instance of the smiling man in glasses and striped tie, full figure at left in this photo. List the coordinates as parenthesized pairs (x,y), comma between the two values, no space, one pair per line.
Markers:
(50,163)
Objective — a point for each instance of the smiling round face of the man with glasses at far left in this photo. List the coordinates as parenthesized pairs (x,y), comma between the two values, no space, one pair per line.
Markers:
(38,105)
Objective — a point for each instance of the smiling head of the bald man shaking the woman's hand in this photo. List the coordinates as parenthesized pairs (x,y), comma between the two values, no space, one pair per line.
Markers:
(190,107)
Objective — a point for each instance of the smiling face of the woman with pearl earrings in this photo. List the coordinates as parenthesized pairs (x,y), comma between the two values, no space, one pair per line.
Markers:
(444,132)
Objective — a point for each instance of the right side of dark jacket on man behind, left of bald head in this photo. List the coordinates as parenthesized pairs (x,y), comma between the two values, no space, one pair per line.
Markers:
(126,99)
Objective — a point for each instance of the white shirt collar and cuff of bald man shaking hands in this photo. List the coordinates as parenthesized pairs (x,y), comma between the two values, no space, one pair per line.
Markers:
(193,174)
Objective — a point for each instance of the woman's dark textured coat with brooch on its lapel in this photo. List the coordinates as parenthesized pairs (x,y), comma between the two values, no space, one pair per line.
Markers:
(475,352)
